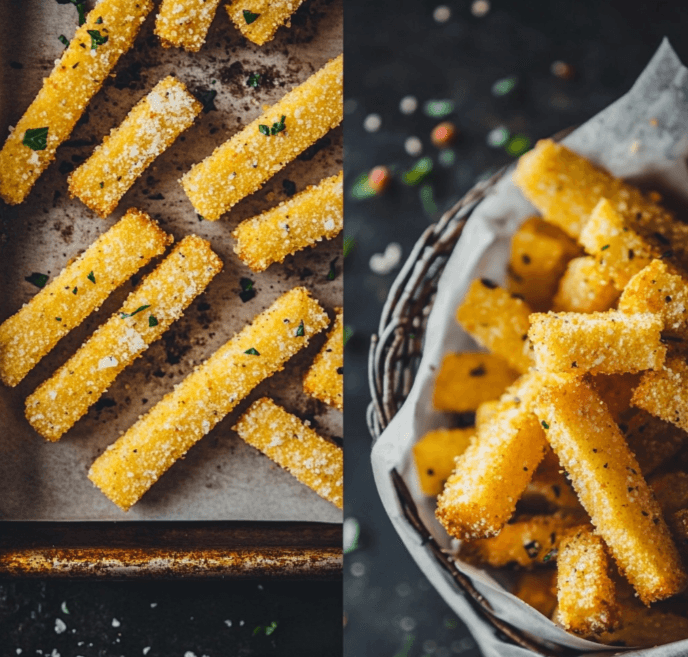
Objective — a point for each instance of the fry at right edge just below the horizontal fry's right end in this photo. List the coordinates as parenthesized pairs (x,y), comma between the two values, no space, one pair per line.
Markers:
(665,393)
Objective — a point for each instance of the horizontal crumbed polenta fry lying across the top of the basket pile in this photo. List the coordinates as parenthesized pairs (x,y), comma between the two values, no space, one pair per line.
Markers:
(600,343)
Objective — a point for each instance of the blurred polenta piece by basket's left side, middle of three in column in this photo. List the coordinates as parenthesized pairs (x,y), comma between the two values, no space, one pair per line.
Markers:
(466,380)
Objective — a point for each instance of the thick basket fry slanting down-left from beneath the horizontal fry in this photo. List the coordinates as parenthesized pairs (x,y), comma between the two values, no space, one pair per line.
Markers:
(492,474)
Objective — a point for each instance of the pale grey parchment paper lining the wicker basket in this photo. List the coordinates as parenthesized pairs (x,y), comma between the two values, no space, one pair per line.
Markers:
(622,139)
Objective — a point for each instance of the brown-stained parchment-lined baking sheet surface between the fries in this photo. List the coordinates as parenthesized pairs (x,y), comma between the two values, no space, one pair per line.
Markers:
(221,477)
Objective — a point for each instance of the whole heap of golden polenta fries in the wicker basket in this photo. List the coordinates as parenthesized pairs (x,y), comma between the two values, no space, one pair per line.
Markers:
(576,469)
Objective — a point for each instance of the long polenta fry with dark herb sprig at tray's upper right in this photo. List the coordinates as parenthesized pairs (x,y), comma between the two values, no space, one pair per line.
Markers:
(242,164)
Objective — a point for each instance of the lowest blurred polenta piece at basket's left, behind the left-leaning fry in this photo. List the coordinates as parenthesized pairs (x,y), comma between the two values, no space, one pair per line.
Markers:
(434,455)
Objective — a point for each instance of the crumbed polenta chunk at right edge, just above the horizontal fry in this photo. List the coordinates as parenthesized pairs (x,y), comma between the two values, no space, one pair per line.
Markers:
(655,289)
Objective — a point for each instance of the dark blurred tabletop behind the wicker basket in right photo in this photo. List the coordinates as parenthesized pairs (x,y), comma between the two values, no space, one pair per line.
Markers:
(394,49)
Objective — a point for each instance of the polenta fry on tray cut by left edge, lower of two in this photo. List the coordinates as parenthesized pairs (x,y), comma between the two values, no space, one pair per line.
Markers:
(72,296)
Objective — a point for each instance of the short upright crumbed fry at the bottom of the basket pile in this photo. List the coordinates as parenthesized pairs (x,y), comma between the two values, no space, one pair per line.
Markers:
(585,592)
